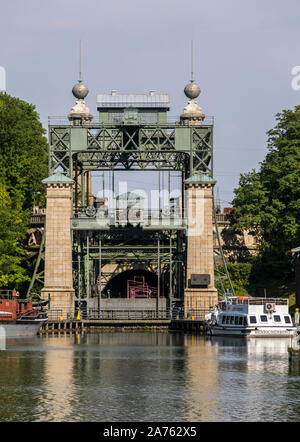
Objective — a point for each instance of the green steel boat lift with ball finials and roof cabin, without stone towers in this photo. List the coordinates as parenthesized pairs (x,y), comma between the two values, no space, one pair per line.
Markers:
(132,133)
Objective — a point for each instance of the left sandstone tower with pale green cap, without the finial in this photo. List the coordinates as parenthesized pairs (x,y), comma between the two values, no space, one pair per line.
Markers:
(58,281)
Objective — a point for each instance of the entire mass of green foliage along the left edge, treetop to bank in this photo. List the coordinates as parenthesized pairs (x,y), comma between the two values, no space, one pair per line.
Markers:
(23,164)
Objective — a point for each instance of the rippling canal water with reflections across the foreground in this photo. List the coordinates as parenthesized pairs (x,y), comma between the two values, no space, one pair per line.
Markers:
(148,376)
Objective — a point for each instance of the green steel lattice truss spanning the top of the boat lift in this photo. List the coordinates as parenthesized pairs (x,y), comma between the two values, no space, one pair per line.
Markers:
(151,147)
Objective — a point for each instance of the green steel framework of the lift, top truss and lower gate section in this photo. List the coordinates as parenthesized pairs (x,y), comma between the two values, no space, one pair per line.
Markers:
(78,150)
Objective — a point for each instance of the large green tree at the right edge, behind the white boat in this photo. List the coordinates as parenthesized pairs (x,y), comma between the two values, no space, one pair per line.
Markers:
(267,202)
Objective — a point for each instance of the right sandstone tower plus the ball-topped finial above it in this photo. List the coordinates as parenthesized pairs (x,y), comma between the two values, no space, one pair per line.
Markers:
(200,292)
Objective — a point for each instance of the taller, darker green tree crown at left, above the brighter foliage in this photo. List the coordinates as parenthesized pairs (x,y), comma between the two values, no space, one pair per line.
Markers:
(23,150)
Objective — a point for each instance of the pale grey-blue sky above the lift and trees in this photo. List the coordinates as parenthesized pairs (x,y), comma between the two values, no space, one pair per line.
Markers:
(244,53)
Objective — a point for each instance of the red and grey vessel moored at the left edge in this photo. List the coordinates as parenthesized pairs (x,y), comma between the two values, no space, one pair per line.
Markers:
(18,317)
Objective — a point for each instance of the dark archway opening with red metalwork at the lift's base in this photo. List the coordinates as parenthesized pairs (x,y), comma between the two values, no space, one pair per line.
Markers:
(134,284)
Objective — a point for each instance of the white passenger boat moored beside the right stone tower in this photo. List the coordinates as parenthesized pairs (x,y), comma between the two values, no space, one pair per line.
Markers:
(251,317)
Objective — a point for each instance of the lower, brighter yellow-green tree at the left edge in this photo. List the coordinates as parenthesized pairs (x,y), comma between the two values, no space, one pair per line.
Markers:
(12,232)
